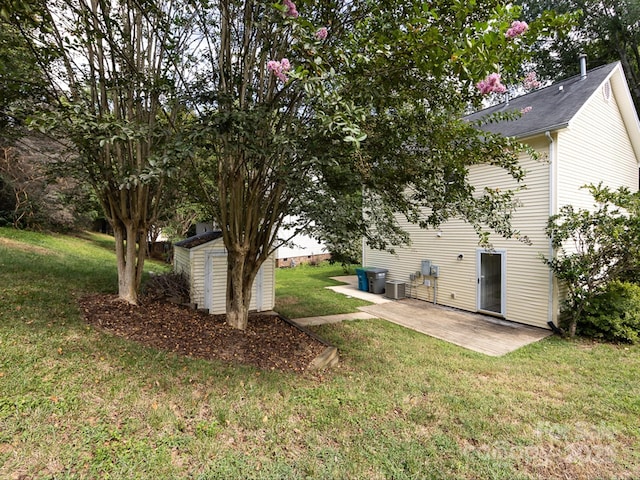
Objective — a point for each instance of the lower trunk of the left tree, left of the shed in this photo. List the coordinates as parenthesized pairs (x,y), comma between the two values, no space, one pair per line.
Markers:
(130,254)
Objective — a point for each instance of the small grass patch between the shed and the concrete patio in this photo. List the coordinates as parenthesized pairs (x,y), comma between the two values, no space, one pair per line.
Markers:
(301,292)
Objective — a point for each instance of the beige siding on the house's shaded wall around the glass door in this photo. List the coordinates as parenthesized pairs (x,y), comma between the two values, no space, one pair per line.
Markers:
(527,276)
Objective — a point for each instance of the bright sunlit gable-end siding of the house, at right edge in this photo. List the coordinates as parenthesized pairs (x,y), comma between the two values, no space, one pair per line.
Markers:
(595,148)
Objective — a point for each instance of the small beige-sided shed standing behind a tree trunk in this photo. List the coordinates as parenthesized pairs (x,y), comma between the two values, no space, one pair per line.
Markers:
(203,260)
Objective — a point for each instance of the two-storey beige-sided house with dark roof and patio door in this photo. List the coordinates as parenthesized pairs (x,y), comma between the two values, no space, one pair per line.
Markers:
(586,131)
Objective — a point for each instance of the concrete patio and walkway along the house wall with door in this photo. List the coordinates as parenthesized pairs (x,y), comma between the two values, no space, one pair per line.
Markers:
(476,332)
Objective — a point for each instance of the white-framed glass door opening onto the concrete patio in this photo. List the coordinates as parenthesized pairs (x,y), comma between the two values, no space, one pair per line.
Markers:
(491,268)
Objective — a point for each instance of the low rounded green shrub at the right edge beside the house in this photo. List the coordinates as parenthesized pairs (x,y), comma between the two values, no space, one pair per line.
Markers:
(613,314)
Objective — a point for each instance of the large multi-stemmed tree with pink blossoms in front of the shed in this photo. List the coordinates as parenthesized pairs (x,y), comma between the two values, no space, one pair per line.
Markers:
(321,110)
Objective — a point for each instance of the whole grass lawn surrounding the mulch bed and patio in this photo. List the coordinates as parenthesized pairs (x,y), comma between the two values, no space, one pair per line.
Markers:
(79,404)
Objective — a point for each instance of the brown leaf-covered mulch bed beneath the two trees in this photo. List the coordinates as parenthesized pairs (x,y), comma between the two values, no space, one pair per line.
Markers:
(269,342)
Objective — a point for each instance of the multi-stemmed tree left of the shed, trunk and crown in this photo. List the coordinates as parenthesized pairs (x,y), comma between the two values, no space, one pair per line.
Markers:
(112,69)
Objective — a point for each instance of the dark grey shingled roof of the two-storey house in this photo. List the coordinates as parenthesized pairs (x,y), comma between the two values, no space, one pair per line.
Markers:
(552,107)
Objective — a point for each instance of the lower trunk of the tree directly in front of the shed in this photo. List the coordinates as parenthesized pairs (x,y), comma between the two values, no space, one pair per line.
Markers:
(240,276)
